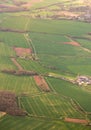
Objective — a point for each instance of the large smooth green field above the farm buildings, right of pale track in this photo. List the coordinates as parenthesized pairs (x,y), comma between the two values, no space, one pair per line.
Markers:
(54,51)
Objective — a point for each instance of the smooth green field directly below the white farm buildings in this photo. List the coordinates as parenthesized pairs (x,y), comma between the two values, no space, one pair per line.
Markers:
(77,93)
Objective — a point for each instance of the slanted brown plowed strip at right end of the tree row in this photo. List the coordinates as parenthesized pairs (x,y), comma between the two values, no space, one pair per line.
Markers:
(41,83)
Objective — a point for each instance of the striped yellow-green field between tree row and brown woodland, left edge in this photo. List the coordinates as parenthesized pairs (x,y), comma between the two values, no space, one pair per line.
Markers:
(19,85)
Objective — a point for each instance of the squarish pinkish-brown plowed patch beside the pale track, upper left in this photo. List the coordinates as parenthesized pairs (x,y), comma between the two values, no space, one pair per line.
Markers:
(22,51)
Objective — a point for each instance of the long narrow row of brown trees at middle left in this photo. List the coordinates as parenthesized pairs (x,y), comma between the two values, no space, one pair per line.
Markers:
(20,72)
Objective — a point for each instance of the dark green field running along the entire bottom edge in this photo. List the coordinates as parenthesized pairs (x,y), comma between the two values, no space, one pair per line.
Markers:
(35,124)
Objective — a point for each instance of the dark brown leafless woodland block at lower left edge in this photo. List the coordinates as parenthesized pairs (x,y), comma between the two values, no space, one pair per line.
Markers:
(8,104)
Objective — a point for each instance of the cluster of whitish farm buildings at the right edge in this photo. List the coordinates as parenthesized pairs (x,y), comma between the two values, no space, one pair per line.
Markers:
(83,80)
